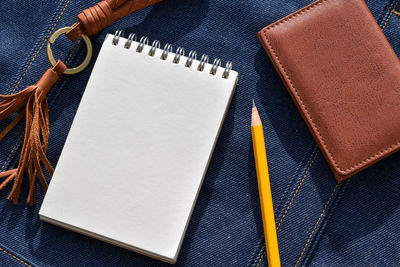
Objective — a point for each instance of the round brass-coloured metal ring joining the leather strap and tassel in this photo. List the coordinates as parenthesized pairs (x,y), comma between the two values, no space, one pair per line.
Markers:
(85,62)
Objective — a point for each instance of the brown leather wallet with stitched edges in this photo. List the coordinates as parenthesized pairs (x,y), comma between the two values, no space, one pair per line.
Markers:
(344,77)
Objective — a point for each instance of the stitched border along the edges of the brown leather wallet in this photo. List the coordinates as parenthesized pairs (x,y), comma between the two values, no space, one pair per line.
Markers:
(304,107)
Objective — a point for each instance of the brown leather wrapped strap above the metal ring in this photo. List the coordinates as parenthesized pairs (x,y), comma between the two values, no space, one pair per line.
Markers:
(94,19)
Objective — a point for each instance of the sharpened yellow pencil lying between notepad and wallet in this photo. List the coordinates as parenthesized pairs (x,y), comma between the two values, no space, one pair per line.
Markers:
(264,189)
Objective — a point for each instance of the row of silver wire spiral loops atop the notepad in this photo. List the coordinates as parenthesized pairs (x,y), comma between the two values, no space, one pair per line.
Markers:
(180,52)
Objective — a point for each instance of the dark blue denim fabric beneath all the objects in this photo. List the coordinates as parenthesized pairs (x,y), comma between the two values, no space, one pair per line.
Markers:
(319,222)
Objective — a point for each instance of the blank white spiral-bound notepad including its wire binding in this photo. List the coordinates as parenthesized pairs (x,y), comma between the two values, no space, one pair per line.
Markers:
(138,149)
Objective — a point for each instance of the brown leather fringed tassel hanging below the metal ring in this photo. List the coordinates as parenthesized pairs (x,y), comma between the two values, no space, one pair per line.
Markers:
(31,103)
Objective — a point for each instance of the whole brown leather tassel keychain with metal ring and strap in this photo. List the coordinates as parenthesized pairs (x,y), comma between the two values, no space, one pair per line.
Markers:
(31,102)
